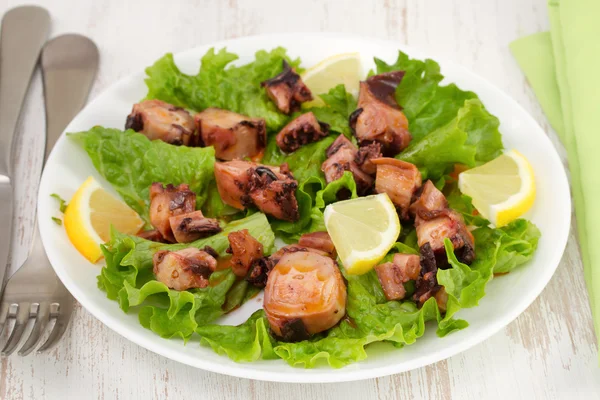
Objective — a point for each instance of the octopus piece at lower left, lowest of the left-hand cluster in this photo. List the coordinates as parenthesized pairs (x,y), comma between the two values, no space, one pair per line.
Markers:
(184,269)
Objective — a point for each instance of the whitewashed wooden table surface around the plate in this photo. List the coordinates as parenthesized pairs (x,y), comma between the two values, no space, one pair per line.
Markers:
(547,353)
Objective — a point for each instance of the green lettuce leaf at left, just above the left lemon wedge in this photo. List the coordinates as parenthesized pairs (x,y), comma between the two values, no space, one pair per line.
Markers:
(131,163)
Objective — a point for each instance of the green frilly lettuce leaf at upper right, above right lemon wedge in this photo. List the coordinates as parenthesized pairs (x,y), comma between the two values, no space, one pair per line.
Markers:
(448,125)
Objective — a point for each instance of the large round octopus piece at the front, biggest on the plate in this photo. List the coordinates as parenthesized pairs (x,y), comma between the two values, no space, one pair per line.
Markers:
(305,294)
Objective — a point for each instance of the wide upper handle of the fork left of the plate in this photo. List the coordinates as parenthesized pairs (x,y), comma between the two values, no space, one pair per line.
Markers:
(69,65)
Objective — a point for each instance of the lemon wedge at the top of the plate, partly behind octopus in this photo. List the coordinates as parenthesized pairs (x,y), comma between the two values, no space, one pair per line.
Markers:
(343,69)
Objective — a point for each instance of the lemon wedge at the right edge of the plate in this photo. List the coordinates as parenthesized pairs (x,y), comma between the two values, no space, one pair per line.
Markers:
(503,189)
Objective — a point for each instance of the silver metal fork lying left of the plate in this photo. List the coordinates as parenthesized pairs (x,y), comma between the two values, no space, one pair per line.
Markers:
(69,64)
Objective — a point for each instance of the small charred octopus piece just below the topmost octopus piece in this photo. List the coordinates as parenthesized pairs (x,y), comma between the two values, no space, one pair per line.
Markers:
(300,131)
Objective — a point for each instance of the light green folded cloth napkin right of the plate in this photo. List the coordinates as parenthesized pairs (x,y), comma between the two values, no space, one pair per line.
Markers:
(563,68)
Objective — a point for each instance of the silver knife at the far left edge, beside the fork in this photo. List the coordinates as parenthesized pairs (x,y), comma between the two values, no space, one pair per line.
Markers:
(22,35)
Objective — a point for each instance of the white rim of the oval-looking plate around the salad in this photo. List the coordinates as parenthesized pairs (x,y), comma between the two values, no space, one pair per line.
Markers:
(329,377)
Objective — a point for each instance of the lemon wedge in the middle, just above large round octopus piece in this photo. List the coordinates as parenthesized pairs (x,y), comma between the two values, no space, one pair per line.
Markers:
(363,230)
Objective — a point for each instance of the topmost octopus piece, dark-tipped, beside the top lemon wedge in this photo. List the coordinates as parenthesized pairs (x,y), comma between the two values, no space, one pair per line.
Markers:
(287,90)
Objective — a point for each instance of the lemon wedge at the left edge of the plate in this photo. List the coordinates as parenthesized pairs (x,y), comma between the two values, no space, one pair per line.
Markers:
(89,215)
